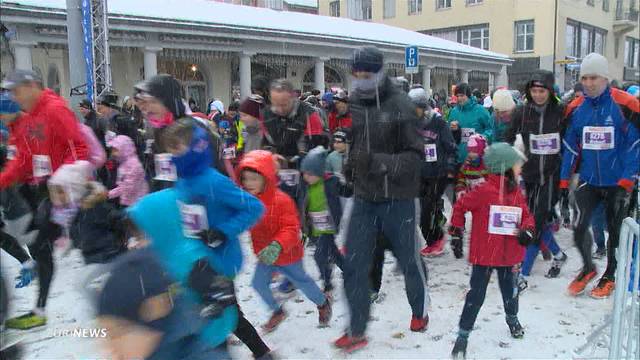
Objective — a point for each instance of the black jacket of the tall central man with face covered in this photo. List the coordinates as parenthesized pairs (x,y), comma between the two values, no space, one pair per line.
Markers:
(384,161)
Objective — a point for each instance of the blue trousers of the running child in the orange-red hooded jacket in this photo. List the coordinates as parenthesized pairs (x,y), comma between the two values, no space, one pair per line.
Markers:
(295,273)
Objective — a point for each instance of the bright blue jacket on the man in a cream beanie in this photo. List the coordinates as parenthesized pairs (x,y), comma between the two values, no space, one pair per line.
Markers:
(601,167)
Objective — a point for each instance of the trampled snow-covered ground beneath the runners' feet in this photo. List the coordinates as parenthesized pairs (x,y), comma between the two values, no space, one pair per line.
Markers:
(555,323)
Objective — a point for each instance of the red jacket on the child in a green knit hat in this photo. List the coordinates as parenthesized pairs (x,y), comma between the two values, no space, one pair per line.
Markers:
(490,249)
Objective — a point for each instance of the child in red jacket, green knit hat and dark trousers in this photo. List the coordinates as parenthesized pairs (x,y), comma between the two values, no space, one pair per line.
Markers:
(502,227)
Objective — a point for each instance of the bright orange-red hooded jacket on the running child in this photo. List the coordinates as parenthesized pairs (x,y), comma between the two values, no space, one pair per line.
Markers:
(280,221)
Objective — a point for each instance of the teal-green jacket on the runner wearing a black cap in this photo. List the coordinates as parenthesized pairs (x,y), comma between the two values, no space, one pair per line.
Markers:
(472,119)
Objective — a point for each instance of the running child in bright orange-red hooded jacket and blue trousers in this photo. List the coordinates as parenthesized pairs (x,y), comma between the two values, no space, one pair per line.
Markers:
(276,238)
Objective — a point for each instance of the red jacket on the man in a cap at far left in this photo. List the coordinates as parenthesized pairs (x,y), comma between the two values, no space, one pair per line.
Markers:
(49,129)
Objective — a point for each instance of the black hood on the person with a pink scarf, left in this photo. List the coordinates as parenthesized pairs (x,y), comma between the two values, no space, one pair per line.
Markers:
(167,89)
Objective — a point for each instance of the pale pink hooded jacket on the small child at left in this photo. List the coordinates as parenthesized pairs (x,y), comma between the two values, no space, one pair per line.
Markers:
(130,182)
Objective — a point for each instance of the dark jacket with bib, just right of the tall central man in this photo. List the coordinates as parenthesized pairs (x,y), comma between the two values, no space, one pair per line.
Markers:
(434,130)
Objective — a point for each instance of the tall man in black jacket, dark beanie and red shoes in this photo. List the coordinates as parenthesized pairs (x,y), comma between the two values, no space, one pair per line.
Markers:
(384,169)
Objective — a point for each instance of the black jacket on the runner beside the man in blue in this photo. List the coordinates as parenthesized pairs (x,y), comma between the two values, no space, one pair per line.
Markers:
(527,120)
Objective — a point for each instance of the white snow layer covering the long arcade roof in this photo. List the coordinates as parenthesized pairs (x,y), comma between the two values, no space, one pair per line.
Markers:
(216,13)
